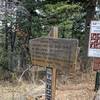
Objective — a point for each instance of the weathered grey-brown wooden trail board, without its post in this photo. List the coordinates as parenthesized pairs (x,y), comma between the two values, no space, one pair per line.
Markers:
(55,52)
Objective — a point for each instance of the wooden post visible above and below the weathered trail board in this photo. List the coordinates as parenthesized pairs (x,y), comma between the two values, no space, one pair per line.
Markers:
(54,34)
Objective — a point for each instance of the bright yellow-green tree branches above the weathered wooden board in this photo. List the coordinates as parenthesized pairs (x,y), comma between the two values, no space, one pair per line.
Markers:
(63,15)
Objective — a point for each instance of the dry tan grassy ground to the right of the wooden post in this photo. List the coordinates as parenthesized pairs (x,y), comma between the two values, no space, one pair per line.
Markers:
(79,87)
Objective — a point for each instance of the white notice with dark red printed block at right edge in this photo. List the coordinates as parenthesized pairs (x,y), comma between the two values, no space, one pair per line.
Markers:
(94,39)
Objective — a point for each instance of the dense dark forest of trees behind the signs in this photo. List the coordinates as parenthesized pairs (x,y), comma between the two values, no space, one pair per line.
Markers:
(22,20)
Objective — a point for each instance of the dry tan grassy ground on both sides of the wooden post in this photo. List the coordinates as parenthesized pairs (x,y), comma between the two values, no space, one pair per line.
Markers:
(78,87)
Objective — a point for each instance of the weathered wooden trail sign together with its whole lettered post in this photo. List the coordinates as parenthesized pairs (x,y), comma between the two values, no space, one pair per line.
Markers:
(56,52)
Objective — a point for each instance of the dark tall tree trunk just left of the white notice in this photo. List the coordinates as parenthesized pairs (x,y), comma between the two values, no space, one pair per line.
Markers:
(90,12)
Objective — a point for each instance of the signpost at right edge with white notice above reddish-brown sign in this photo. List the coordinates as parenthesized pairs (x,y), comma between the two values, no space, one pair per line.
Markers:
(94,49)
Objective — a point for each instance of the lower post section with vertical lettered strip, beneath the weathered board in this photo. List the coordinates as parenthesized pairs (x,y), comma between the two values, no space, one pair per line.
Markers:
(50,83)
